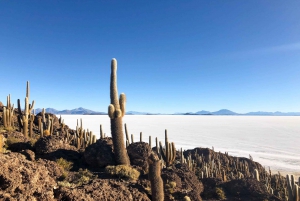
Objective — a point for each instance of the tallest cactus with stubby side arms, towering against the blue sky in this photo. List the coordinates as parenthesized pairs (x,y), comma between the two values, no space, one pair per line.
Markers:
(116,110)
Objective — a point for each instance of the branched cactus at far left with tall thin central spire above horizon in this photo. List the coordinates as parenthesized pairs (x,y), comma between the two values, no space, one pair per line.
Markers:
(23,117)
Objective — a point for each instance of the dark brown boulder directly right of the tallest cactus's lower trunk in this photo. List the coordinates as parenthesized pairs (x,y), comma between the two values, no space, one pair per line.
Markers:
(138,153)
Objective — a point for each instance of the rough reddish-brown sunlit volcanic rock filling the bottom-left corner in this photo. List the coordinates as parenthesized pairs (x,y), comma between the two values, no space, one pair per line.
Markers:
(21,179)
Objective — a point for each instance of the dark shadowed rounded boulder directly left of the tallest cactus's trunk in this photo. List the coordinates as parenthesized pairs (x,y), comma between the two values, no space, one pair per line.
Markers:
(100,154)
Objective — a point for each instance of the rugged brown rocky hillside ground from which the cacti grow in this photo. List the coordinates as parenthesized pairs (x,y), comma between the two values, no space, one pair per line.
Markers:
(53,168)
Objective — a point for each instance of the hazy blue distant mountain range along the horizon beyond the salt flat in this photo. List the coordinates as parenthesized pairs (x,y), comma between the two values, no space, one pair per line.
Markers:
(84,111)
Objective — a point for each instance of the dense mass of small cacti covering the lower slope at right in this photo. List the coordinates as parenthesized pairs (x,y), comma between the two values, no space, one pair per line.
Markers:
(228,168)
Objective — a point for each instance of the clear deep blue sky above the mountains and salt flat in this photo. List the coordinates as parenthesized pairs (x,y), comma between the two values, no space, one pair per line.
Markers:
(173,55)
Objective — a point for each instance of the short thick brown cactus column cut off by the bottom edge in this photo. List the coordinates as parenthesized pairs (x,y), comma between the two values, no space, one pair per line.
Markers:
(157,189)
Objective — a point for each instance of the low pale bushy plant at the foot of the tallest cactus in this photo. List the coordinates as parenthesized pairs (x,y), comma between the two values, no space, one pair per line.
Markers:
(123,171)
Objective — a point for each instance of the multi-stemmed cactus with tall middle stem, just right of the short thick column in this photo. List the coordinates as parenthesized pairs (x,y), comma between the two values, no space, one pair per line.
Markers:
(169,153)
